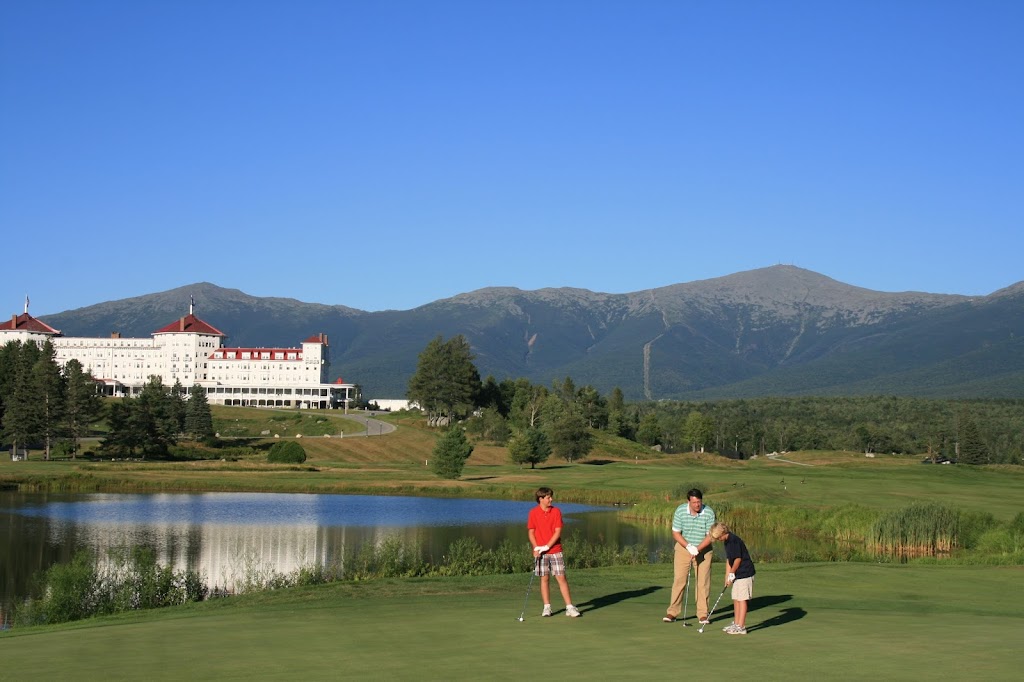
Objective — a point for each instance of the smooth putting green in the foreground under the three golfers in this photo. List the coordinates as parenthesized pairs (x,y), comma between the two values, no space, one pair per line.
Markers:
(838,621)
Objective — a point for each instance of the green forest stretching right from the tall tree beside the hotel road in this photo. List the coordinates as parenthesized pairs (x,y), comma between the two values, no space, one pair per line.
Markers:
(537,421)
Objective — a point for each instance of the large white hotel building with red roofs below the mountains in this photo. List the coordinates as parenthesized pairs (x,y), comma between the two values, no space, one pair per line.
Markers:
(191,352)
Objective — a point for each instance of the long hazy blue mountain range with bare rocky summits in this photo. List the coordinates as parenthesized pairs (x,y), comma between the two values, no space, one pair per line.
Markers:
(774,331)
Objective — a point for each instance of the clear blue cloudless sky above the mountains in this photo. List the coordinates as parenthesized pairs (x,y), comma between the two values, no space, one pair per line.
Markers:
(389,154)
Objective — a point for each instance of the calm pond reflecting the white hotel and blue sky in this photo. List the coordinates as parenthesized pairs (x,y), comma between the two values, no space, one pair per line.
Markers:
(224,535)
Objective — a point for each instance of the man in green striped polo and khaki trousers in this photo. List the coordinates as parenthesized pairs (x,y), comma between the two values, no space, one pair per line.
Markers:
(691,526)
